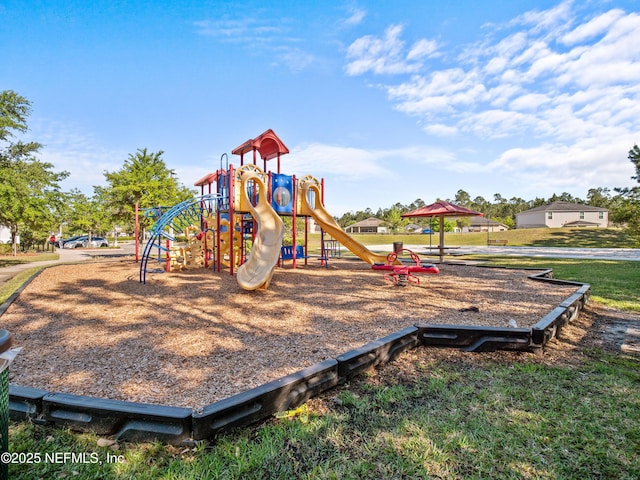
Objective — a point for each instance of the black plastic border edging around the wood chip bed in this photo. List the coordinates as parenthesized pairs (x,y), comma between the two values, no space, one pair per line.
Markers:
(132,421)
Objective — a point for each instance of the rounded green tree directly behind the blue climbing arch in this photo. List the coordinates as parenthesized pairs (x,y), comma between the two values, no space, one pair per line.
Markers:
(144,180)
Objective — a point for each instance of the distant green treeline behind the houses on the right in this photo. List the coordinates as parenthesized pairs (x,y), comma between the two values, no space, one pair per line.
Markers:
(501,209)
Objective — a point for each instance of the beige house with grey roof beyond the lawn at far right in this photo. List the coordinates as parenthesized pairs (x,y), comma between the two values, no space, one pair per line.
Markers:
(563,214)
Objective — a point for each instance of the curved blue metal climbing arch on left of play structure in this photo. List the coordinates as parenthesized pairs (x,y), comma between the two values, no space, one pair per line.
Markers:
(176,219)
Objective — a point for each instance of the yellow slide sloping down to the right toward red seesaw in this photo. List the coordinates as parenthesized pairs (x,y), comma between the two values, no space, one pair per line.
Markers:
(328,224)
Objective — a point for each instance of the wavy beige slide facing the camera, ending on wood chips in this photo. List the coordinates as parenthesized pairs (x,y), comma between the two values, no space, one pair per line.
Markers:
(257,271)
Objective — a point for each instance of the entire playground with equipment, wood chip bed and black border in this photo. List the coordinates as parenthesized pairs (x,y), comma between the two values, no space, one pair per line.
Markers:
(219,323)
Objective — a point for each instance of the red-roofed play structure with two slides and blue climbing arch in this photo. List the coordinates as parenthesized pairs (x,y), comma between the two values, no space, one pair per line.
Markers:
(236,222)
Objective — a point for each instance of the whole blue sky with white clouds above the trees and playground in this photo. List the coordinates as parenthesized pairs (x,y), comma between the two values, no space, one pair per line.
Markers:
(388,101)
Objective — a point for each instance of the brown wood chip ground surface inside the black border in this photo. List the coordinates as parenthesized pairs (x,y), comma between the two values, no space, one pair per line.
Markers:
(195,337)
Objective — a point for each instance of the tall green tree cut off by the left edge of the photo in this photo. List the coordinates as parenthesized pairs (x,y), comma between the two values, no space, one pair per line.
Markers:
(29,188)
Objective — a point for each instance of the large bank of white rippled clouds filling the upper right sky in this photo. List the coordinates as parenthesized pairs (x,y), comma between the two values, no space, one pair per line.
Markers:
(553,96)
